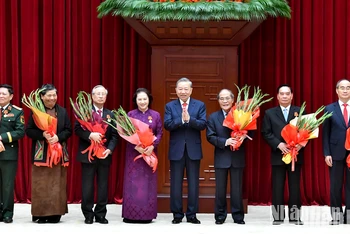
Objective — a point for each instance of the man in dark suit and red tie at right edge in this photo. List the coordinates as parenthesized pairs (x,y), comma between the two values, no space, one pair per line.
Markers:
(334,135)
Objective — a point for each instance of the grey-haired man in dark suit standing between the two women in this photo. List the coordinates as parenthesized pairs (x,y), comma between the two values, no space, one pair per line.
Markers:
(98,167)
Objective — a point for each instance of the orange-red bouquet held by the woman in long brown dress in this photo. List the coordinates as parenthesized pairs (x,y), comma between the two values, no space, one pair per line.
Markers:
(45,122)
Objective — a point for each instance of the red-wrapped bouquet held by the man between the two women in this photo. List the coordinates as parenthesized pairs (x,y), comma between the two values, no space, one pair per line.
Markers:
(91,121)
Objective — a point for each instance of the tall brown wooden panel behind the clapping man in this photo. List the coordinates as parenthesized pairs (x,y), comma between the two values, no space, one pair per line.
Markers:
(210,69)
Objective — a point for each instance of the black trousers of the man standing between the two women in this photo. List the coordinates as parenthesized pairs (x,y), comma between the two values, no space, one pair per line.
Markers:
(89,171)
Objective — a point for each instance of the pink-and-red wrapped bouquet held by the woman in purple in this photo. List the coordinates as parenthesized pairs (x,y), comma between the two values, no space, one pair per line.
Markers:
(135,132)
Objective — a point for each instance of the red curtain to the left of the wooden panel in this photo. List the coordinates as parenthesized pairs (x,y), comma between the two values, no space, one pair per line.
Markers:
(64,43)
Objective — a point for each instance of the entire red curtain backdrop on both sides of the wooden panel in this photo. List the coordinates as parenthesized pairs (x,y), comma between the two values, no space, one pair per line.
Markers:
(64,43)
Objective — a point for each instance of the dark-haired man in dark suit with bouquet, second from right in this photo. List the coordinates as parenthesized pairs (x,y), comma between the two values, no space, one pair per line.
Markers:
(274,121)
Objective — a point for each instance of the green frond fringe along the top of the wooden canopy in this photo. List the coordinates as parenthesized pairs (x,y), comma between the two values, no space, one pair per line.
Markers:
(204,10)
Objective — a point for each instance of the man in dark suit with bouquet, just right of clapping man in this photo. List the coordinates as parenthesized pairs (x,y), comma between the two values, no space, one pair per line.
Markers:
(226,161)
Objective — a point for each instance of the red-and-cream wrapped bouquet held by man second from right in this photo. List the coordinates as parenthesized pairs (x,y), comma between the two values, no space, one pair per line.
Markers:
(301,129)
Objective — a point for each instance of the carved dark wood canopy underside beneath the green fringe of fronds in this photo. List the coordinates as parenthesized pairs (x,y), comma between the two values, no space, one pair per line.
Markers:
(213,33)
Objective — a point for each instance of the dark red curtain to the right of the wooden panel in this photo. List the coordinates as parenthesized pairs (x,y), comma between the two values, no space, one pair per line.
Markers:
(311,52)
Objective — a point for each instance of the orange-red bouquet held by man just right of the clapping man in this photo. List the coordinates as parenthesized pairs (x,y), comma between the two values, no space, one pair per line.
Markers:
(243,115)
